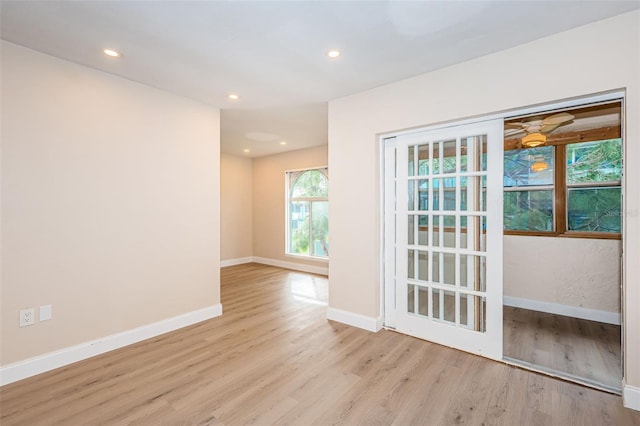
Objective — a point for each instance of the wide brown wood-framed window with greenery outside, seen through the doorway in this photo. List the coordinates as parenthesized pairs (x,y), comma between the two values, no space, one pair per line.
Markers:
(569,189)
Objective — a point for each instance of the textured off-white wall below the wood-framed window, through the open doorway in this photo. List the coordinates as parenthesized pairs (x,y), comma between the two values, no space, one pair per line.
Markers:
(573,272)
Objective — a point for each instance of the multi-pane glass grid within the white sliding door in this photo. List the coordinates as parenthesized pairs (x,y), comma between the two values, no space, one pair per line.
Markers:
(453,179)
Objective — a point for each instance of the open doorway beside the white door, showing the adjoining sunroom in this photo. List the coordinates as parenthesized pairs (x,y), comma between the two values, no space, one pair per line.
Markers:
(563,243)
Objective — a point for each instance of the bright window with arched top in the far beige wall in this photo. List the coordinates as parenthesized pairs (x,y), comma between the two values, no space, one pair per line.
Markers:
(308,213)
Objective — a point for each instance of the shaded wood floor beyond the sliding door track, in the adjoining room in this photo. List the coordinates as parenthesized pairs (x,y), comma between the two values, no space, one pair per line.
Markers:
(579,348)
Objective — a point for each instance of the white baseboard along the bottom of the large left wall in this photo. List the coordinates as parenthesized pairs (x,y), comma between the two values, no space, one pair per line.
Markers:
(21,370)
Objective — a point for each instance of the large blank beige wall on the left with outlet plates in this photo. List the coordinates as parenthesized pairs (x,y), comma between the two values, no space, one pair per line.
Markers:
(110,203)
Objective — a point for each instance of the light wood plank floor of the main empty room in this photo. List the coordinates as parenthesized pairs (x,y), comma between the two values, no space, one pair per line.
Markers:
(272,358)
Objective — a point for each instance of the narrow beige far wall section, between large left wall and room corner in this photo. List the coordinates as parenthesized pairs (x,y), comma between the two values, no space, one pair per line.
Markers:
(235,207)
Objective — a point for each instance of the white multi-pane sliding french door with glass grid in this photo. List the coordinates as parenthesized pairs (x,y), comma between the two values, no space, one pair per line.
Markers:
(443,236)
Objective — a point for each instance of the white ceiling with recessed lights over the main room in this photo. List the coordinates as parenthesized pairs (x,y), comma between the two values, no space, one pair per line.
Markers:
(272,53)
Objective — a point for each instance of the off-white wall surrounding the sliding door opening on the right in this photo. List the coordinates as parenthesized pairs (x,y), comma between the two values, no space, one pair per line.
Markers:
(557,67)
